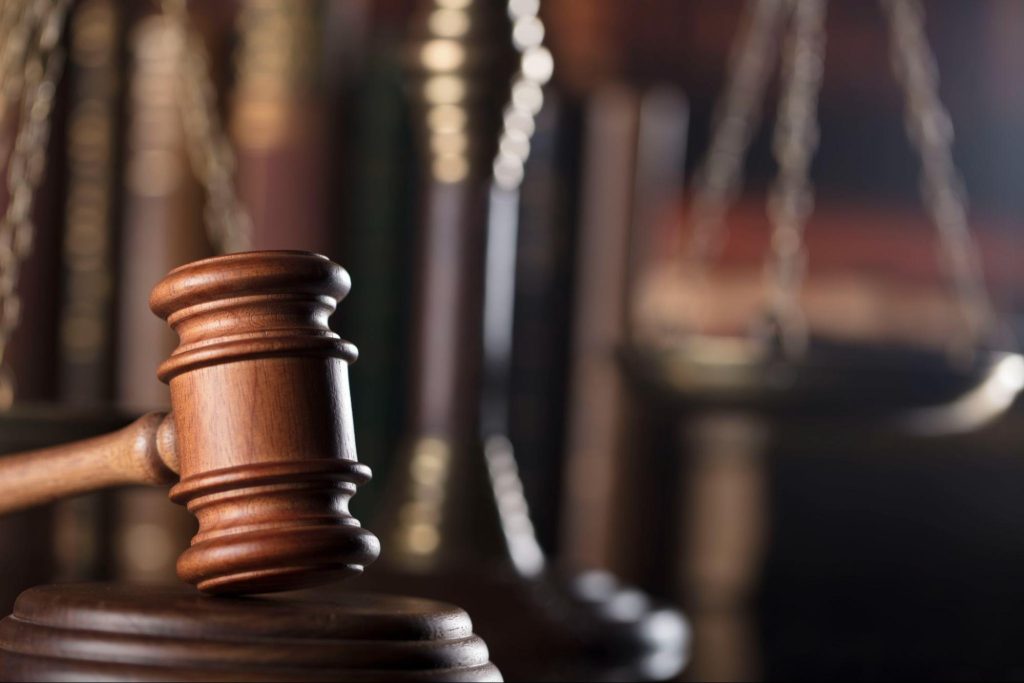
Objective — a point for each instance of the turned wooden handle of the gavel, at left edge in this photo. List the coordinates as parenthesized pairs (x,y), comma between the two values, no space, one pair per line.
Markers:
(142,453)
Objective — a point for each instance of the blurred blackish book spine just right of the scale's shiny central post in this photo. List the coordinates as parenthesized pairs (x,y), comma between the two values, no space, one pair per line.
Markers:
(541,328)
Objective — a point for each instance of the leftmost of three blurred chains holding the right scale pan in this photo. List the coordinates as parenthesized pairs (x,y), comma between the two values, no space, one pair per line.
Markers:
(718,180)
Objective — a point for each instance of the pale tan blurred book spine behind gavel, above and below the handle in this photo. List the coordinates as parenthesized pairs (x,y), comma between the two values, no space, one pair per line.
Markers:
(162,230)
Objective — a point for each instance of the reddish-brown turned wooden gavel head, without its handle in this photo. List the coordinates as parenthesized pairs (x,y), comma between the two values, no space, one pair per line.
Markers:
(263,419)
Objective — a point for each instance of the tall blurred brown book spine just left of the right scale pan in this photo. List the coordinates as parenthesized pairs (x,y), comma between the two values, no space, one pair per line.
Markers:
(596,429)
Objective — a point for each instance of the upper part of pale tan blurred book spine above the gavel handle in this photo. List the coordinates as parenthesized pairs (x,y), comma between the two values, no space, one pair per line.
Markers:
(162,209)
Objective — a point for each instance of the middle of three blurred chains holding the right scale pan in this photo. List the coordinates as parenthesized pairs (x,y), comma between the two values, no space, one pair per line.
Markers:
(791,199)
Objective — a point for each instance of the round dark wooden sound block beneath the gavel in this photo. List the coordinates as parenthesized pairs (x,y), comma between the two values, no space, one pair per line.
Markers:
(134,633)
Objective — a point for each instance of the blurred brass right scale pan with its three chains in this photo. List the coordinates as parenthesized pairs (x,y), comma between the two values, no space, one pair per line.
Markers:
(781,367)
